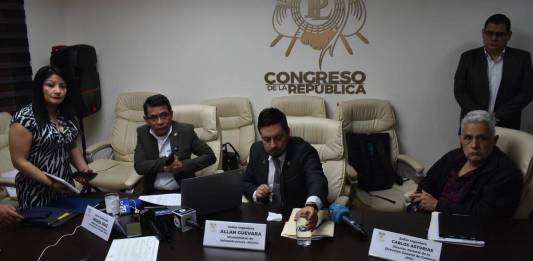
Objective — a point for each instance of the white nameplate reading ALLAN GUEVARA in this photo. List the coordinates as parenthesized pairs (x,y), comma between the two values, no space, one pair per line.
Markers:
(249,236)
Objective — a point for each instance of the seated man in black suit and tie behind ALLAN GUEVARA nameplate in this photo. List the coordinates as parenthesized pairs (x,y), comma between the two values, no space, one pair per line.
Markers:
(283,170)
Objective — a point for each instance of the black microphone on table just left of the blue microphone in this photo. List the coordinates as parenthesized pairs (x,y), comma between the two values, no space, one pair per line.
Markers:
(159,220)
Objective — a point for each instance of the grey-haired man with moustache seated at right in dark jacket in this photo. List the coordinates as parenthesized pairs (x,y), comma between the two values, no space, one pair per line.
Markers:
(476,179)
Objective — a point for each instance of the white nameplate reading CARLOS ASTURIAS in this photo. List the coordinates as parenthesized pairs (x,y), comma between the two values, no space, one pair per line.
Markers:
(394,246)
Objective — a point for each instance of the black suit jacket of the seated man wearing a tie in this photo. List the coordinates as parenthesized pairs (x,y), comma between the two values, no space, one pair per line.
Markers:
(301,176)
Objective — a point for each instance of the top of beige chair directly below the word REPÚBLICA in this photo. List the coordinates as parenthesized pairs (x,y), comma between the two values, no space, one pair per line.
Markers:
(301,105)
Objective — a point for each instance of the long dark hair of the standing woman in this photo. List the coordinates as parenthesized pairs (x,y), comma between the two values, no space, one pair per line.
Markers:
(39,105)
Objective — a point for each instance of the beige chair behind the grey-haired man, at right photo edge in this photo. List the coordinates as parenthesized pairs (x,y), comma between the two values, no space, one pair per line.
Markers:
(518,145)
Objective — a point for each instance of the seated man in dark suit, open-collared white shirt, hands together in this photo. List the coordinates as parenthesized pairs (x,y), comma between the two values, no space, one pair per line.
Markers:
(164,147)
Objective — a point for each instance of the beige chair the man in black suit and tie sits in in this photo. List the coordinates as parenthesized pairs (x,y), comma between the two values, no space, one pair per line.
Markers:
(325,135)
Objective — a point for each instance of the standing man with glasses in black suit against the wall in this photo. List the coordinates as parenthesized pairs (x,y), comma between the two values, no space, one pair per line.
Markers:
(495,77)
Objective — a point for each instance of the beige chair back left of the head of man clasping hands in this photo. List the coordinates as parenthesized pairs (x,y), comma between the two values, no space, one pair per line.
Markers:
(129,115)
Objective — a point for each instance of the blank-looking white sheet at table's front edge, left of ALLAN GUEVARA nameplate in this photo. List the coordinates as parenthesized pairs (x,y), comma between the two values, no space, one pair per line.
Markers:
(139,248)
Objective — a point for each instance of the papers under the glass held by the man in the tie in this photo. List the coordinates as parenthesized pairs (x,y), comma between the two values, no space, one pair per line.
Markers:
(326,227)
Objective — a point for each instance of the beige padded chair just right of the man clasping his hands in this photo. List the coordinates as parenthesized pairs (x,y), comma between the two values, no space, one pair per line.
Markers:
(204,119)
